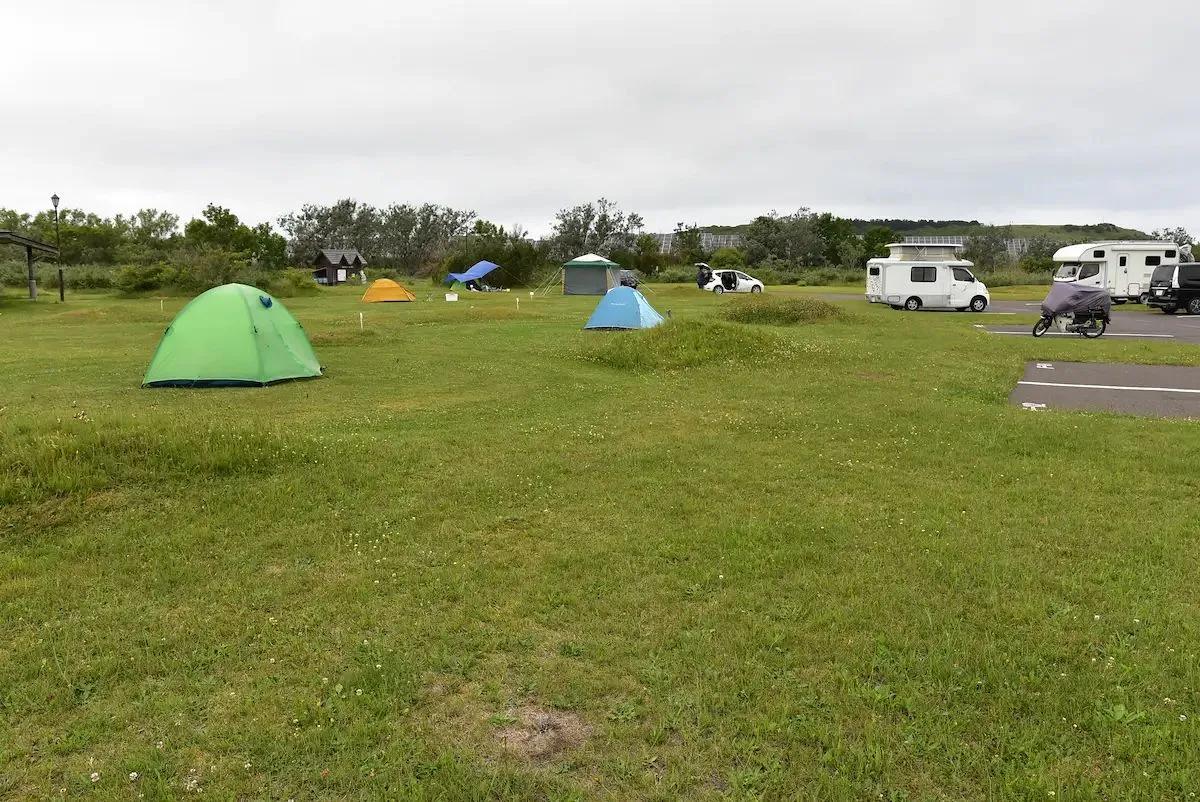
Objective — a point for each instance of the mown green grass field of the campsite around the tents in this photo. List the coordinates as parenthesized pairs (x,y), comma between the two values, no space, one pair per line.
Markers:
(490,556)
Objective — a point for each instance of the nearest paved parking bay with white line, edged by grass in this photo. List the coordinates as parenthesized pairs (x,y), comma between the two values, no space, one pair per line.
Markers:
(1157,391)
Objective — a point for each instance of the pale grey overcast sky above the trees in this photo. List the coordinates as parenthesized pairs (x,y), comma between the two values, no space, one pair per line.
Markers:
(1064,111)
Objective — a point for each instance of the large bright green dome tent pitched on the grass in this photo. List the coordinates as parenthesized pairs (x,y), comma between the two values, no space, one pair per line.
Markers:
(232,337)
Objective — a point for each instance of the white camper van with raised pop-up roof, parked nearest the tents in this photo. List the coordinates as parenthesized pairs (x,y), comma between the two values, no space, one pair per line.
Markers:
(926,277)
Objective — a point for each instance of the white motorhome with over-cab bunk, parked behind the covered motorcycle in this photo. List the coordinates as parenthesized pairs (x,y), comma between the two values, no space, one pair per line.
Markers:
(1124,268)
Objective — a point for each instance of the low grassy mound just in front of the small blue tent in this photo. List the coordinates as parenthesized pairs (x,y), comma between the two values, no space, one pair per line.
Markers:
(680,345)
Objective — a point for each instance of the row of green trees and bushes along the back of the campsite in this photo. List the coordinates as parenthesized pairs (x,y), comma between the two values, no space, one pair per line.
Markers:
(154,249)
